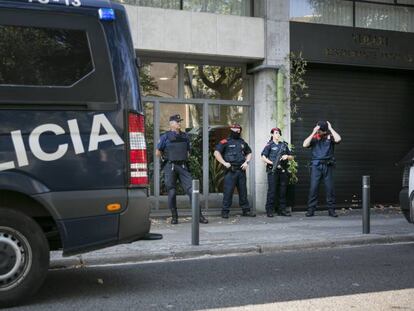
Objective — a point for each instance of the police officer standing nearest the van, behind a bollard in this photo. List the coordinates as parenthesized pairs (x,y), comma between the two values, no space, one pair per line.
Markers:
(174,147)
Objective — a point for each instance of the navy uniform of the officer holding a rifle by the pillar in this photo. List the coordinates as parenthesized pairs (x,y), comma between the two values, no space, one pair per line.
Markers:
(277,179)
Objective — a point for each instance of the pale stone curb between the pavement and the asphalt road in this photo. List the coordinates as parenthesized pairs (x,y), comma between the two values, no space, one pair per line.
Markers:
(194,252)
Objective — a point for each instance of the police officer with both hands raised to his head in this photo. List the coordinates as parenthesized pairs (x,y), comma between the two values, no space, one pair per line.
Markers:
(322,143)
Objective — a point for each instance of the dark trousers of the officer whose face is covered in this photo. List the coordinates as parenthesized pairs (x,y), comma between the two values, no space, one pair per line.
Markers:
(233,179)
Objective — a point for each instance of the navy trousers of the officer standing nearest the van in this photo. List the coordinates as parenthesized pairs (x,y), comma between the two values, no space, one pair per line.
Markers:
(172,172)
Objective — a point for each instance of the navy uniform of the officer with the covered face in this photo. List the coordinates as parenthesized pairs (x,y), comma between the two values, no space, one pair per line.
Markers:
(234,151)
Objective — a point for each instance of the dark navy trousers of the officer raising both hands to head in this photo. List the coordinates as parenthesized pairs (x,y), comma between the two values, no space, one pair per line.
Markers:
(321,172)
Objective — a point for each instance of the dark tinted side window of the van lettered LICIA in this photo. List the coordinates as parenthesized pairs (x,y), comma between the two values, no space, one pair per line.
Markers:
(43,56)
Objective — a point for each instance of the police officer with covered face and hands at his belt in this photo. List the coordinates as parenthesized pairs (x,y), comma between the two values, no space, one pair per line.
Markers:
(234,153)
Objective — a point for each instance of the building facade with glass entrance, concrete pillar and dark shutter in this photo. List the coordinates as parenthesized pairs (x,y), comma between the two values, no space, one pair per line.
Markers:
(218,62)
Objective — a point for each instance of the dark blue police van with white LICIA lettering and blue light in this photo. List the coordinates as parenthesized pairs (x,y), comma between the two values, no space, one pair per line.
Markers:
(73,166)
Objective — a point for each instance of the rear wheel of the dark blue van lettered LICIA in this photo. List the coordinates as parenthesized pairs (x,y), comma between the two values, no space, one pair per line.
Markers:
(24,257)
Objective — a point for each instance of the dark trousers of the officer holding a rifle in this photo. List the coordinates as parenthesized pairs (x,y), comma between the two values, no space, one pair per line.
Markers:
(276,183)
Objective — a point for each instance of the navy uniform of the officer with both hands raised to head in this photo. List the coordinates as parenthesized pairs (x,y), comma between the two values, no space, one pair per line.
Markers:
(322,166)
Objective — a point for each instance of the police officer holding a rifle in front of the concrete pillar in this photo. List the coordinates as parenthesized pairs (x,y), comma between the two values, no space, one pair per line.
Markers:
(276,155)
